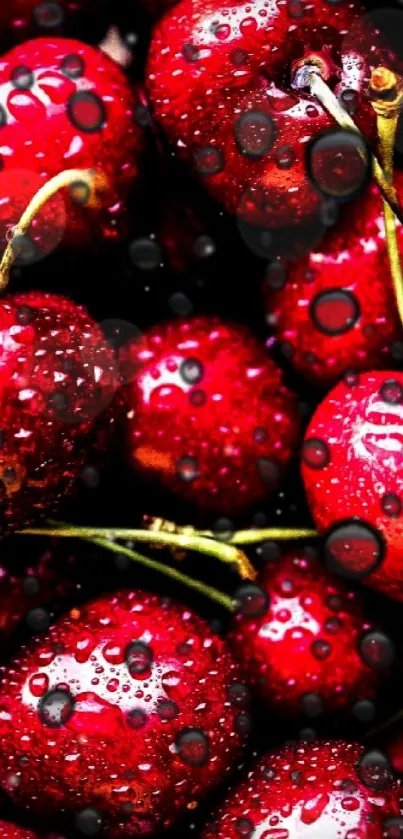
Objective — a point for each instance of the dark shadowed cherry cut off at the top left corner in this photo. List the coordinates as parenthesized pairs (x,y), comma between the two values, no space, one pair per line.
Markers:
(23,19)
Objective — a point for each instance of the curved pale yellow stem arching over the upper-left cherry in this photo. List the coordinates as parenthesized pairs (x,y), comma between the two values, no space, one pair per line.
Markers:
(64,179)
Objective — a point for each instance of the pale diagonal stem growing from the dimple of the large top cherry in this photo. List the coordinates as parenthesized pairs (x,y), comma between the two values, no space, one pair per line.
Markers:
(326,97)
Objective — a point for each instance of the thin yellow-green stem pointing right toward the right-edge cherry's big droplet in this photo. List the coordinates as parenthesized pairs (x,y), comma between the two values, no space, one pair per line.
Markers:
(240,537)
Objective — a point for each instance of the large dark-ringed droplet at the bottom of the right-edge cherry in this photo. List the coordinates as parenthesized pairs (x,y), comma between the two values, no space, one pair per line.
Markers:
(353,549)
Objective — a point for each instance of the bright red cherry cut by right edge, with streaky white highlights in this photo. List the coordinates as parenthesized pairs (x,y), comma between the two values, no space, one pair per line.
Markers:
(352,470)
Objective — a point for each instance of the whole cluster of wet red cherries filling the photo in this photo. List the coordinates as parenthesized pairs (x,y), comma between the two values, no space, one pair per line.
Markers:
(130,709)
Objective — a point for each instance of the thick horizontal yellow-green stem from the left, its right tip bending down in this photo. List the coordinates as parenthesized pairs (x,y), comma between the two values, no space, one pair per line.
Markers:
(184,541)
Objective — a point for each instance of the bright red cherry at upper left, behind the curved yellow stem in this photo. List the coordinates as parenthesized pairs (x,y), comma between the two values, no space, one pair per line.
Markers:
(64,110)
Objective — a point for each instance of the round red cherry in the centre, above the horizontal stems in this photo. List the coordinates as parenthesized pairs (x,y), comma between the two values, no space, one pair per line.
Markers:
(208,415)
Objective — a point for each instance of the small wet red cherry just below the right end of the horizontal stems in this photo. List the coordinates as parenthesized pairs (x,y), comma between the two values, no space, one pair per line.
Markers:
(303,654)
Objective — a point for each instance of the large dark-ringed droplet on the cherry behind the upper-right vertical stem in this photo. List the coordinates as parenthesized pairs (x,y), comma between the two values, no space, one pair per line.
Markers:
(334,312)
